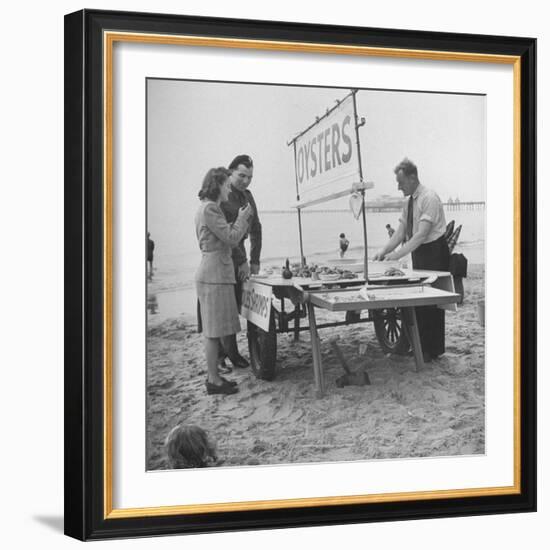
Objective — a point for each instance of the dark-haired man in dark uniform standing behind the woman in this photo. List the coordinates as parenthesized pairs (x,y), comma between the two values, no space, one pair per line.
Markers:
(242,170)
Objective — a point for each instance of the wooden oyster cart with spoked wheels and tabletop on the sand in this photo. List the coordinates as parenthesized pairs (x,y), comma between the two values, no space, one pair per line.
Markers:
(387,302)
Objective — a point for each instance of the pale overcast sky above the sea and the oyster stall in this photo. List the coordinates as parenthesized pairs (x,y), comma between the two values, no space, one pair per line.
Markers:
(193,126)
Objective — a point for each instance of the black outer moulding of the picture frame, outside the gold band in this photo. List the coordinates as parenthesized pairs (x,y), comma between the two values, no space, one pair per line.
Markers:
(84,274)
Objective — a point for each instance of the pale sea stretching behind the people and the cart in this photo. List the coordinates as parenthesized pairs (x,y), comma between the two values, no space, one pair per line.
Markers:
(170,292)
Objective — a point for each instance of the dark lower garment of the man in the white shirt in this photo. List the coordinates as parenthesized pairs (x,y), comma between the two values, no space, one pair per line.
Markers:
(431,319)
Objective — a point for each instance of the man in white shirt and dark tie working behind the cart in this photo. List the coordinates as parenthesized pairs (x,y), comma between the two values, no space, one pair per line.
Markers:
(422,232)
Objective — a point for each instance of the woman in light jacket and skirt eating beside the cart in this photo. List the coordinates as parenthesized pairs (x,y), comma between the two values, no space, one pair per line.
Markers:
(215,278)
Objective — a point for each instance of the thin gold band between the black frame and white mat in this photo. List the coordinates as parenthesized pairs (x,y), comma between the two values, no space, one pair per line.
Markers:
(109,40)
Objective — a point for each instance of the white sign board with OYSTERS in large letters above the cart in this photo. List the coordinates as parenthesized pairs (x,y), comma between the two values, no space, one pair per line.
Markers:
(326,156)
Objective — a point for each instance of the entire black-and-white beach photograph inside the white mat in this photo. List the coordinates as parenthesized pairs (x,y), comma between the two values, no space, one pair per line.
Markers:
(314,265)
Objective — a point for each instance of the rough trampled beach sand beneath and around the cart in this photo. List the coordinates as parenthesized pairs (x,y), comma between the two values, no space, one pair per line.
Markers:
(439,411)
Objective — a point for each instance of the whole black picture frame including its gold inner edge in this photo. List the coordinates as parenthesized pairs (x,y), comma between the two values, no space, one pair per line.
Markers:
(90,365)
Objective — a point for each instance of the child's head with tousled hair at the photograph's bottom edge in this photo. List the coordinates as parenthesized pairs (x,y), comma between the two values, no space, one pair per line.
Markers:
(188,446)
